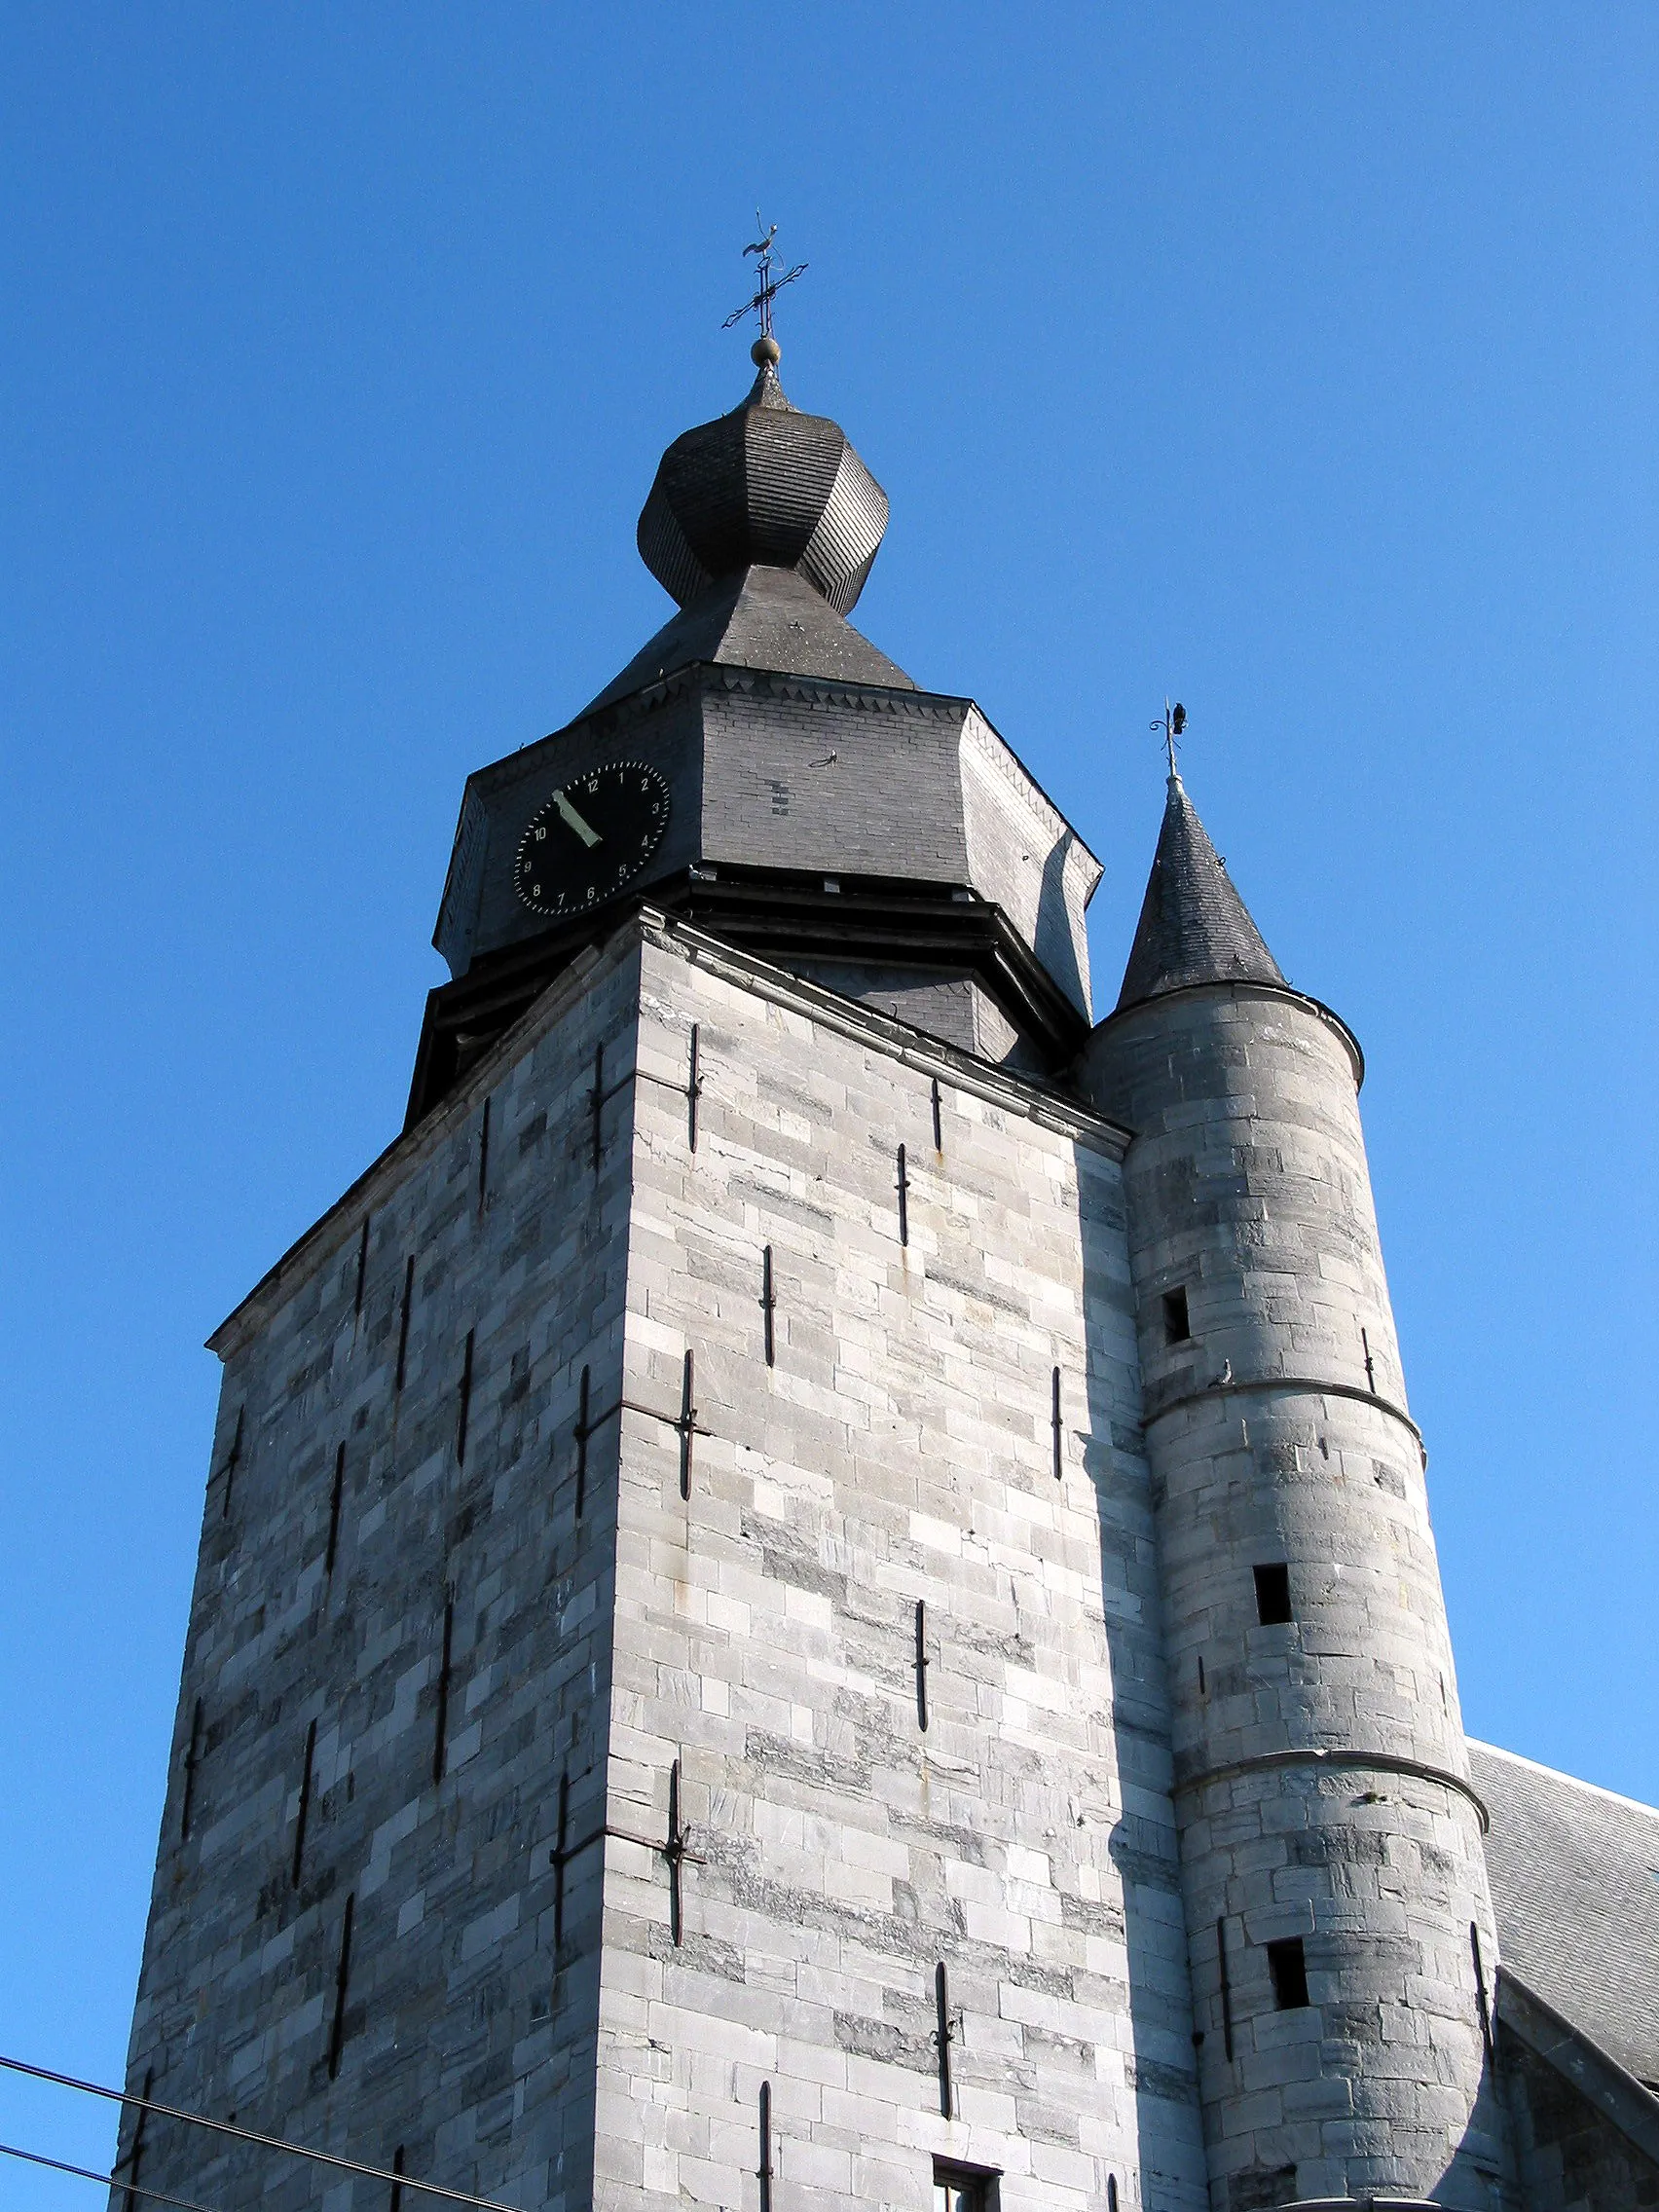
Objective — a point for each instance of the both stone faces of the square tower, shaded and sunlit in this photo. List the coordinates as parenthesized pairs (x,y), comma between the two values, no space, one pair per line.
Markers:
(678,1616)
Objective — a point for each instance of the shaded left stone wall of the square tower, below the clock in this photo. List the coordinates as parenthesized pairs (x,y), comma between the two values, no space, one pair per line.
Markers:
(468,2034)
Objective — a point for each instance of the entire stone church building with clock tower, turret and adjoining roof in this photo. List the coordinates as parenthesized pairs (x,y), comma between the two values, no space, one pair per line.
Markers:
(817,1589)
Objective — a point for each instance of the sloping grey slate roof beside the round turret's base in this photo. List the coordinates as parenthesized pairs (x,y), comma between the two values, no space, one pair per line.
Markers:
(1576,1888)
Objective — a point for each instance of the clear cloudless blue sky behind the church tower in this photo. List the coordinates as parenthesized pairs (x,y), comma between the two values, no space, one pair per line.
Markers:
(1291,359)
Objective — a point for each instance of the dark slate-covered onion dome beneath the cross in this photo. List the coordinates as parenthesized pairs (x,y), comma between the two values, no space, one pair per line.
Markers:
(764,486)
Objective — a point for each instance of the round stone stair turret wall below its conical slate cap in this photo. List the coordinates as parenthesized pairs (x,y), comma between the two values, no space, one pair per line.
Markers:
(1277,1437)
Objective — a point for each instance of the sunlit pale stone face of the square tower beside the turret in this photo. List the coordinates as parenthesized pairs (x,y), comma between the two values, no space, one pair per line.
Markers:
(899,1450)
